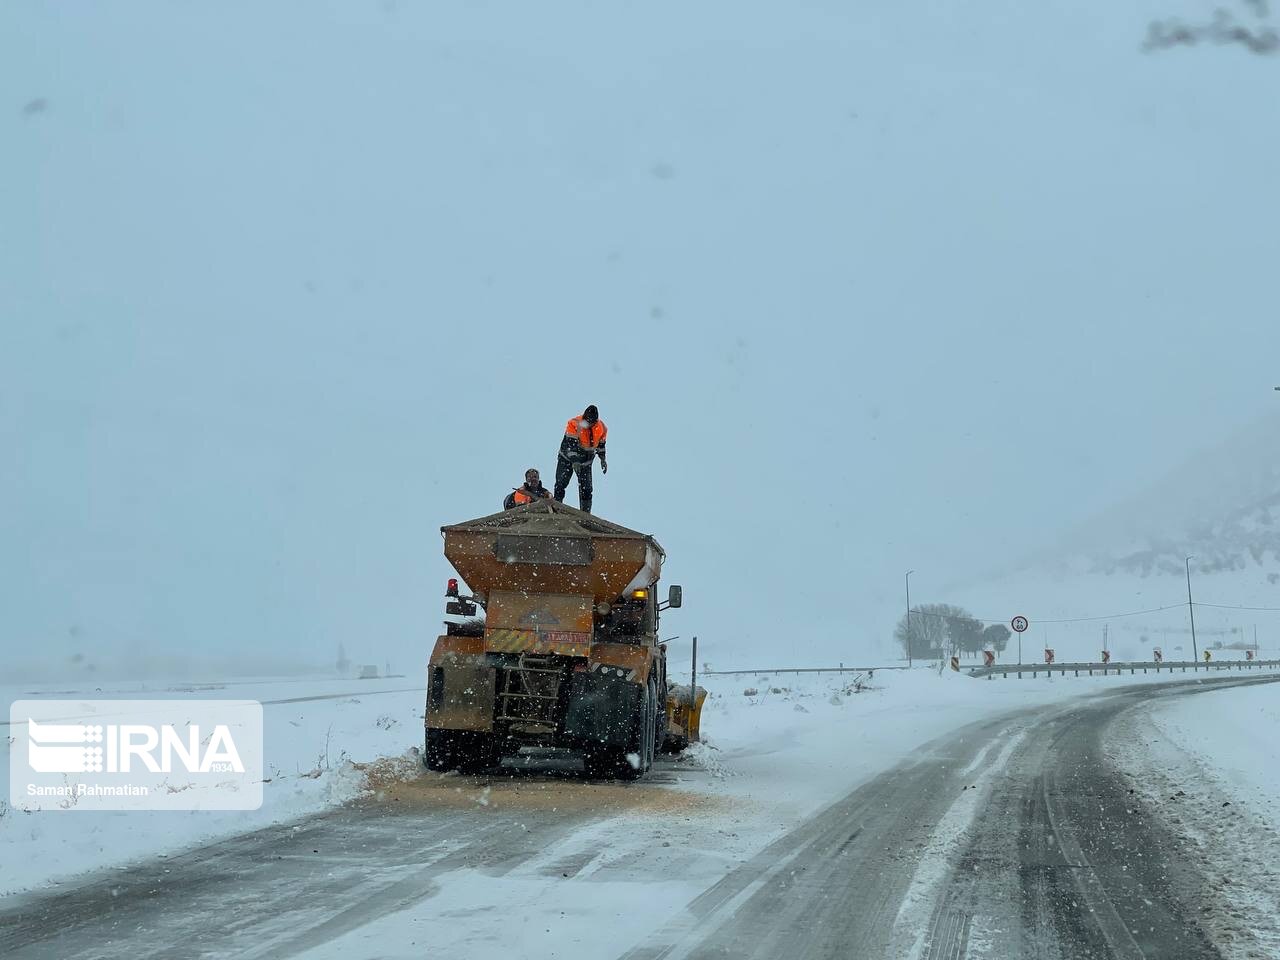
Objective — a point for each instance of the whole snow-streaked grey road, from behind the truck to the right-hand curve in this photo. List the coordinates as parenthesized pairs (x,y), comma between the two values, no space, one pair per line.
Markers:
(1012,838)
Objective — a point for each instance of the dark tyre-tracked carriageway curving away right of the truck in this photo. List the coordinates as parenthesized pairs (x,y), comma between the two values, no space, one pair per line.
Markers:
(1018,839)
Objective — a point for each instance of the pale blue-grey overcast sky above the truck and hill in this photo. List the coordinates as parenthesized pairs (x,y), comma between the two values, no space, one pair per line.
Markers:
(857,287)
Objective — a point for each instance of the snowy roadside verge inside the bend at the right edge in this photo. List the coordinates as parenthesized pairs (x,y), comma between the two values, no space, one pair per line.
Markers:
(1212,765)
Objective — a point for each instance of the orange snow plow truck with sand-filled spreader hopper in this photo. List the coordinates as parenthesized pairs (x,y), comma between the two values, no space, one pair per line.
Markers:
(568,652)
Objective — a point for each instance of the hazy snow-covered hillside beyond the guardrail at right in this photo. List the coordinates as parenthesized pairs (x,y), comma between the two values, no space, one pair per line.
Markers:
(1122,578)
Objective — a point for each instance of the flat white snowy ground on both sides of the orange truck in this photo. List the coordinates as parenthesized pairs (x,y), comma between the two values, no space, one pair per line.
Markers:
(770,760)
